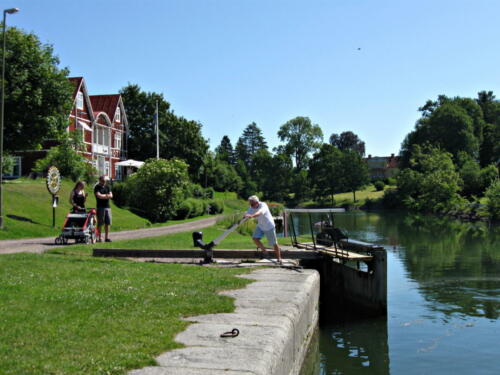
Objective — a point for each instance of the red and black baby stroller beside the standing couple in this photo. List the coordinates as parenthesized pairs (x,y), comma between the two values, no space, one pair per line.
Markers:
(80,226)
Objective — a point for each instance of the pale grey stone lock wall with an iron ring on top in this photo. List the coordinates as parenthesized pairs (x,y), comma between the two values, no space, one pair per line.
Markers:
(276,316)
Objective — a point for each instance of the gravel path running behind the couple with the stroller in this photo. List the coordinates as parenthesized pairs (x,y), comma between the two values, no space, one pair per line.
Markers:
(39,245)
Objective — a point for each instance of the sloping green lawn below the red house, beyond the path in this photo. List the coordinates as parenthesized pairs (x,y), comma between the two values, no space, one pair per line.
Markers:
(28,210)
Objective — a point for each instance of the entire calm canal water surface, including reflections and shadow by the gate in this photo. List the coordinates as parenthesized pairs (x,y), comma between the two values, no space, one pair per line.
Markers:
(443,301)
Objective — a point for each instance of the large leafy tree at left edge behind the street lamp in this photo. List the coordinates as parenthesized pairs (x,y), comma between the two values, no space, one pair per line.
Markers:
(37,92)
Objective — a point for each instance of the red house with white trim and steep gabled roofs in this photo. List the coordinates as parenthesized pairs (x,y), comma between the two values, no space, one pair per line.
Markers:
(102,121)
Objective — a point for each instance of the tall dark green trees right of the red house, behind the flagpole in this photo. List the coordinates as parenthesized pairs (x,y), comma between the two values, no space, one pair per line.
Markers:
(179,137)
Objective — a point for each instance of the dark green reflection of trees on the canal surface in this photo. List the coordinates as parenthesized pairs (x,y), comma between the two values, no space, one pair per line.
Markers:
(456,264)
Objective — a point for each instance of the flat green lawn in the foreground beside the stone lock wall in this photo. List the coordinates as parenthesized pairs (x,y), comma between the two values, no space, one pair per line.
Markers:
(74,315)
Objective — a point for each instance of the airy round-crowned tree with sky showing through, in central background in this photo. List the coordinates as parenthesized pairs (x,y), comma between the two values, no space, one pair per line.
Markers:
(302,138)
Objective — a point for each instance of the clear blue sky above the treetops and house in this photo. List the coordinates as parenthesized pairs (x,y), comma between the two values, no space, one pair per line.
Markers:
(364,66)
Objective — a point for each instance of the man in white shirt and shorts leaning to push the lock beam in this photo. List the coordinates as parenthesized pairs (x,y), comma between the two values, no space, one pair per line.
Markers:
(265,225)
